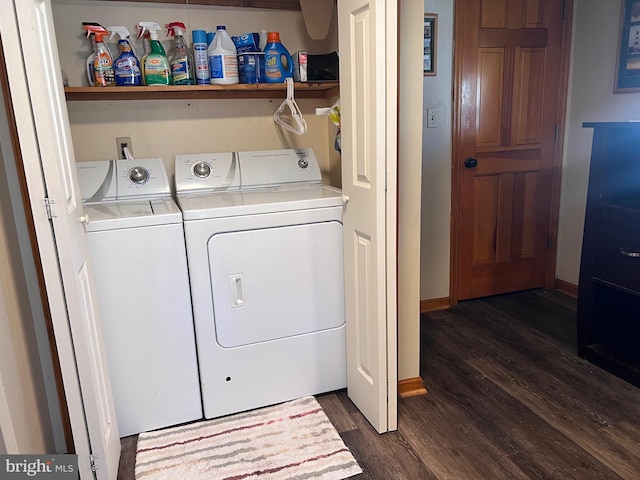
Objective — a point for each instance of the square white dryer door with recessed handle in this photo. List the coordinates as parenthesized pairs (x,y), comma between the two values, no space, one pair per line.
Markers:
(276,282)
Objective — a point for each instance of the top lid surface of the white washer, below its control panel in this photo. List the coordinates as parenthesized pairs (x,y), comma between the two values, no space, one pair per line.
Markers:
(131,214)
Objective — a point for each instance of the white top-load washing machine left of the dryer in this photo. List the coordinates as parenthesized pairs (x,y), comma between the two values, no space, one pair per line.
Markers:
(136,242)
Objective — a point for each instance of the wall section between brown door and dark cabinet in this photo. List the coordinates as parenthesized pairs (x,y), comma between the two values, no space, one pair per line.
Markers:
(595,47)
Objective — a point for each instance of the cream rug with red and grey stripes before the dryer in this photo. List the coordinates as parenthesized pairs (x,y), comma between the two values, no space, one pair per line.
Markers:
(293,440)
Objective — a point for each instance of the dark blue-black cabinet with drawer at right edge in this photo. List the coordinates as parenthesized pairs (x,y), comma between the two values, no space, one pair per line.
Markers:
(609,289)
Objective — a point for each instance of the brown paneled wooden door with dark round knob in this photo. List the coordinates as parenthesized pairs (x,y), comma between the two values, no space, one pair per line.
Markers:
(510,80)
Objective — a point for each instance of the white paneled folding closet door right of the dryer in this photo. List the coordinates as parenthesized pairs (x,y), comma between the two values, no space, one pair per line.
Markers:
(368,100)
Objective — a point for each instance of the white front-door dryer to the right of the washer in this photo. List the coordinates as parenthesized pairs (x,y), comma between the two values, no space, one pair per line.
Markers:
(264,245)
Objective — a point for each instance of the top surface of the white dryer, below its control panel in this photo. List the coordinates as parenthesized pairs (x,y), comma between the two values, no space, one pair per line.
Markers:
(196,206)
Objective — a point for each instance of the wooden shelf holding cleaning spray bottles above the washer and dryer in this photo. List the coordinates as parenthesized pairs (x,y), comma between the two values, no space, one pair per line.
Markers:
(238,91)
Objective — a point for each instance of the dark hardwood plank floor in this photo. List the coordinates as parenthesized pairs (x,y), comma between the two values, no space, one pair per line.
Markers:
(508,399)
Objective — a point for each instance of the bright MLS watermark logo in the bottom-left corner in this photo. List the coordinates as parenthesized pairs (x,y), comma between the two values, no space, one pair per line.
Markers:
(50,467)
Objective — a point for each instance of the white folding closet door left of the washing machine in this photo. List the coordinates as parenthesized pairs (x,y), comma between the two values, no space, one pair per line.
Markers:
(44,136)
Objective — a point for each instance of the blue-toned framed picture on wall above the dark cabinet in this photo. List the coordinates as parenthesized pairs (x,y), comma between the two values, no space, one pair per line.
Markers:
(628,67)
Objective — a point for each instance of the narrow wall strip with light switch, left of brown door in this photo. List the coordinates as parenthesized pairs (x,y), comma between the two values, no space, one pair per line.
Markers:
(436,161)
